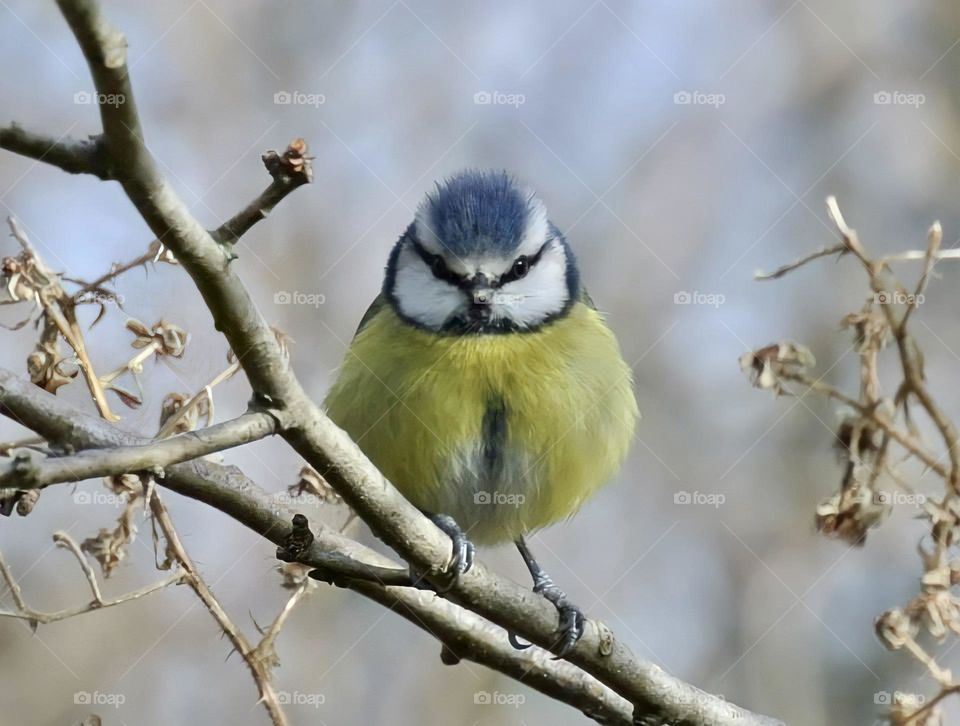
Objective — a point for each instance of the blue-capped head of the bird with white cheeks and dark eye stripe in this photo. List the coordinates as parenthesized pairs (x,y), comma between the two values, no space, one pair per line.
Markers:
(481,257)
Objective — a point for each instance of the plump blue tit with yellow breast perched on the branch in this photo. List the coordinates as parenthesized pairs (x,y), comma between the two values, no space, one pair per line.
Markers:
(483,382)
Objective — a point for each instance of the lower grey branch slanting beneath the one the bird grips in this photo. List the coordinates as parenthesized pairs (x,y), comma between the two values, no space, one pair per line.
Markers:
(348,563)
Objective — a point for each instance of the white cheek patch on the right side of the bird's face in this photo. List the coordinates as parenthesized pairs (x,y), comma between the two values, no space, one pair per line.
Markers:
(542,293)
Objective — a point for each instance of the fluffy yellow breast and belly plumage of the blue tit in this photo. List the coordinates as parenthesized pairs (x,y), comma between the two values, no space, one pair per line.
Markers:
(505,433)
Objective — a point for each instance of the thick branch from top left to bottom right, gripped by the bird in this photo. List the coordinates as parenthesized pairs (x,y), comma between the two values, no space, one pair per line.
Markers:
(653,693)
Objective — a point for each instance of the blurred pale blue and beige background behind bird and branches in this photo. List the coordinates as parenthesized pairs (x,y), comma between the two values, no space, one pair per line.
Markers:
(681,148)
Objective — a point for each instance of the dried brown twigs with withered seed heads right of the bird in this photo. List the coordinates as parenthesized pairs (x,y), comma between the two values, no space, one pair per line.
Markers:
(870,424)
